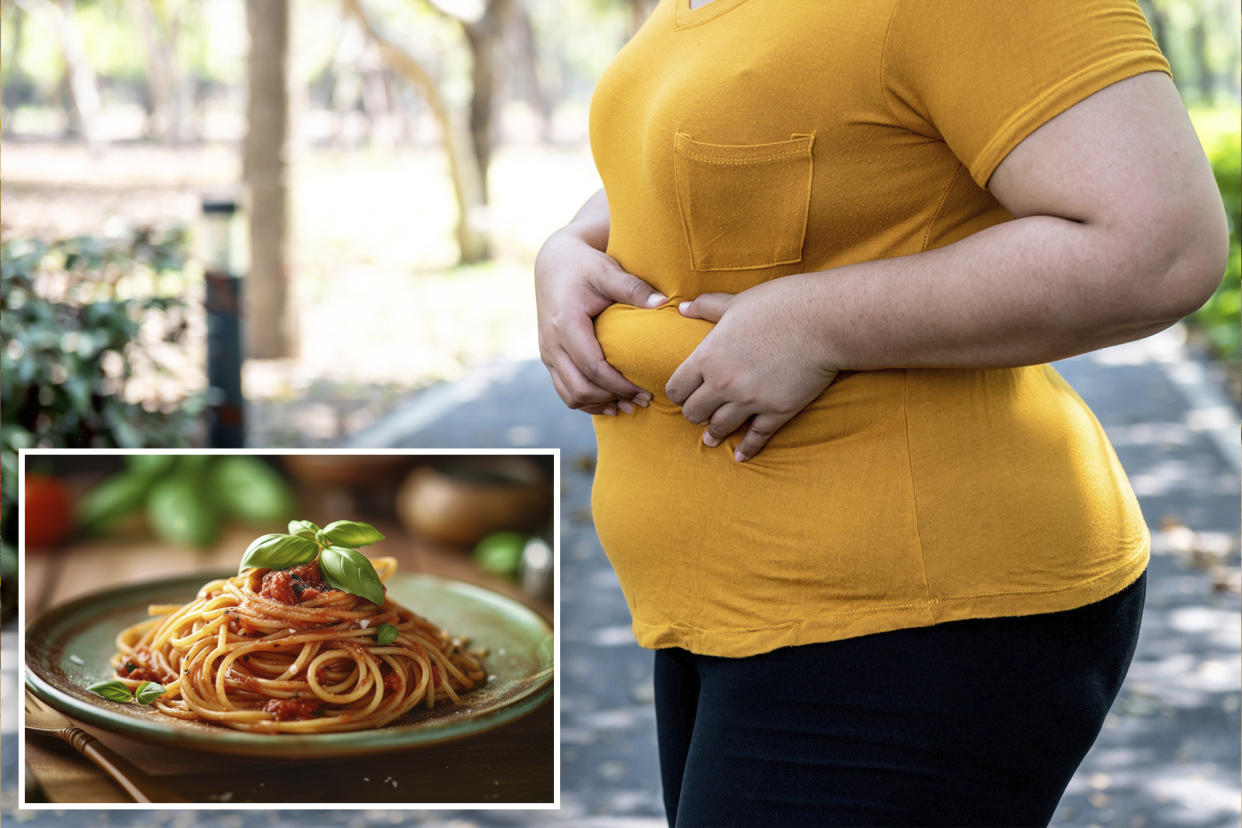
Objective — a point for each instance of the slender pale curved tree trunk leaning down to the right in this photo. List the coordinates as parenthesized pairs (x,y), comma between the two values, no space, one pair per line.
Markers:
(463,163)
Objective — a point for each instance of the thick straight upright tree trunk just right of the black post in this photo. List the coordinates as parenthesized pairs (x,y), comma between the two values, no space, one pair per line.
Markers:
(269,326)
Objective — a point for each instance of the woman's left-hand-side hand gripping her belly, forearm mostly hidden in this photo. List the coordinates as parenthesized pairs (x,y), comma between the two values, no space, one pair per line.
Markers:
(574,284)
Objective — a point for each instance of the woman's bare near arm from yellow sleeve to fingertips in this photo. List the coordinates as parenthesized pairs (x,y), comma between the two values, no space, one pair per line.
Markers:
(1118,233)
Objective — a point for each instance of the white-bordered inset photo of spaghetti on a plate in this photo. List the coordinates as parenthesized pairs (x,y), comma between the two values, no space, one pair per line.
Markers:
(306,630)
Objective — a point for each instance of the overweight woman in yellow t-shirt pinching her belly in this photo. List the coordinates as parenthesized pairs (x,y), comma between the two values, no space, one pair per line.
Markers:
(889,562)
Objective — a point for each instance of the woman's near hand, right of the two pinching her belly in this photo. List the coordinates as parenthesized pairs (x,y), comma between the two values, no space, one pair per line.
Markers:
(761,363)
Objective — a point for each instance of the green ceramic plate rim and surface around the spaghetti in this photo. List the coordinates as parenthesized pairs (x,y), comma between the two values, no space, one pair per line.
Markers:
(69,650)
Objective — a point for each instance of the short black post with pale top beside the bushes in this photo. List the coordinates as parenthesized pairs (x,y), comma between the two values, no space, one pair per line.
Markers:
(227,413)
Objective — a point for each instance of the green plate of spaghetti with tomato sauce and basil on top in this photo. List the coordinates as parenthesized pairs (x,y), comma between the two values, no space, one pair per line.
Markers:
(290,657)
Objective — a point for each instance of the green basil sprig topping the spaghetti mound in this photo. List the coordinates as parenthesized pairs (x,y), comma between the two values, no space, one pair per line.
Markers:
(336,546)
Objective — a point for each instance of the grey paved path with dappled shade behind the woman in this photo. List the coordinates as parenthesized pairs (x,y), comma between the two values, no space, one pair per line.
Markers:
(1169,755)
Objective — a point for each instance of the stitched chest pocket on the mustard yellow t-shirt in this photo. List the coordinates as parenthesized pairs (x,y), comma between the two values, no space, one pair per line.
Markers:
(743,207)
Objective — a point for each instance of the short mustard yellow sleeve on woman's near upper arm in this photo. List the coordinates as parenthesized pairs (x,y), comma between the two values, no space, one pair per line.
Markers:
(983,75)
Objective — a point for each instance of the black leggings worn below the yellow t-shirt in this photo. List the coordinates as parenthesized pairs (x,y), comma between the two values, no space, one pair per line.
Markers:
(969,723)
